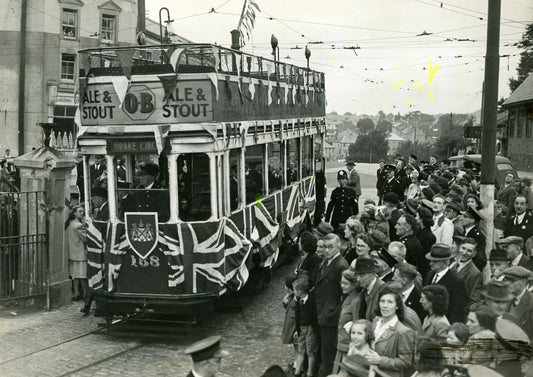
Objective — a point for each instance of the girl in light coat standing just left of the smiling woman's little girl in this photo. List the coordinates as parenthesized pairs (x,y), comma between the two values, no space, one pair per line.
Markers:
(348,309)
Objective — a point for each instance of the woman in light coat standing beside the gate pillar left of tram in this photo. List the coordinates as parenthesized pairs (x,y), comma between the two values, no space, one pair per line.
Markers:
(77,249)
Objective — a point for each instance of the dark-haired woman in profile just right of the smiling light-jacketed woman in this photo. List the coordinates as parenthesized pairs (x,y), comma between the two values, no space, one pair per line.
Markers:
(434,299)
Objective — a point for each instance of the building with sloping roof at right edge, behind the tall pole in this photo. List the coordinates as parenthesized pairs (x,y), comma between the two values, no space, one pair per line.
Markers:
(519,146)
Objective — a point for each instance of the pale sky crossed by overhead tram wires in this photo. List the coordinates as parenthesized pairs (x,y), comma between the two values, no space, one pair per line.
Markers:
(372,52)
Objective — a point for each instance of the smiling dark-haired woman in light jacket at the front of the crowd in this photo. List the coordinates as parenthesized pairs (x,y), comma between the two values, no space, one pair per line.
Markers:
(394,342)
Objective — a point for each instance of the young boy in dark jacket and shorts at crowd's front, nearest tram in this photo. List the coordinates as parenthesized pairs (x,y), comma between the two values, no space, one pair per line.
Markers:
(307,343)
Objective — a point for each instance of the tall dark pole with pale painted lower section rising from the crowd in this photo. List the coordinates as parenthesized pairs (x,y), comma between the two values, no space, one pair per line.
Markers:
(490,113)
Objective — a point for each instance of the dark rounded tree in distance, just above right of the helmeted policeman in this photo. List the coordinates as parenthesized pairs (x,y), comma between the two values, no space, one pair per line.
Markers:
(369,147)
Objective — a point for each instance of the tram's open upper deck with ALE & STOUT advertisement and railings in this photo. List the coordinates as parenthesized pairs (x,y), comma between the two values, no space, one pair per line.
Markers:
(191,83)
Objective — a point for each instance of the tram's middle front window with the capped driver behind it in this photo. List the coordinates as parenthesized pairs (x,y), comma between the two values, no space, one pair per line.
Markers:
(142,185)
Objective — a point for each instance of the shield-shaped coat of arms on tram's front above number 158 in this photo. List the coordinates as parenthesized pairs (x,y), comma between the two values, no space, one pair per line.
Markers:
(142,232)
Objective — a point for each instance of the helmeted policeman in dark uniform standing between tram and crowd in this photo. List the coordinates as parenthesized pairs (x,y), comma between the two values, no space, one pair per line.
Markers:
(343,202)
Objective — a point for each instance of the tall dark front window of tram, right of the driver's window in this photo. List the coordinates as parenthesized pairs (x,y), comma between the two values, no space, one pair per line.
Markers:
(194,187)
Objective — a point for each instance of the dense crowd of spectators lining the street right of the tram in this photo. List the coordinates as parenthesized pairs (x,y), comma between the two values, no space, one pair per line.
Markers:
(405,288)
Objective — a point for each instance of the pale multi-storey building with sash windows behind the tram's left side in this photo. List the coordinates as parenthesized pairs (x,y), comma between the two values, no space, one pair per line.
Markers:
(38,61)
